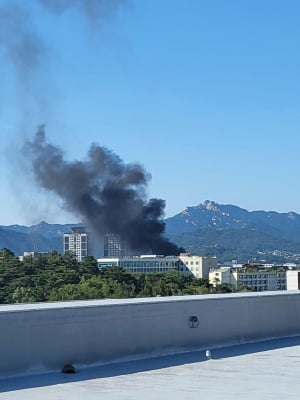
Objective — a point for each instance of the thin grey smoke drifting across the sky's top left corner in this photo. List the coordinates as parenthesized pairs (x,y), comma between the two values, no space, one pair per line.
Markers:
(21,42)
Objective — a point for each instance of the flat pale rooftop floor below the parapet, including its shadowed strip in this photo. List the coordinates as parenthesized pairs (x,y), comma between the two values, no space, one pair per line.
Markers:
(262,370)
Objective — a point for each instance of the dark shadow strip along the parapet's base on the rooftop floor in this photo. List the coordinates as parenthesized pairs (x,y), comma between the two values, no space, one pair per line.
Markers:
(142,365)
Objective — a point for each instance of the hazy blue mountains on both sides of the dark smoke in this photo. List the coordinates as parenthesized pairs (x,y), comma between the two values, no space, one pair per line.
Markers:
(226,231)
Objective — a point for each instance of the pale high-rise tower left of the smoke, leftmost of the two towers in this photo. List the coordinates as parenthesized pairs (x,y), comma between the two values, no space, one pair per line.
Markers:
(78,242)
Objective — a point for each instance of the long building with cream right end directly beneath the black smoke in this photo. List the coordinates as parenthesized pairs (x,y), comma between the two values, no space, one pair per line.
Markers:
(185,263)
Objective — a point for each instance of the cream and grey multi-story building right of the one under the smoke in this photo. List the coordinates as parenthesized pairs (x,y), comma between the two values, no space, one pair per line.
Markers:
(258,278)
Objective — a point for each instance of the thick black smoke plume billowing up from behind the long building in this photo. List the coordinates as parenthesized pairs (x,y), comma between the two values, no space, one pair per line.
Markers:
(107,193)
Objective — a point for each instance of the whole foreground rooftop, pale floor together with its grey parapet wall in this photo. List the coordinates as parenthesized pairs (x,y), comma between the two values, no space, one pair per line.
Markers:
(134,338)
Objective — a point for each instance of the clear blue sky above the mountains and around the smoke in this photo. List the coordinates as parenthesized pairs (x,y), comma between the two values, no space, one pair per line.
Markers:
(204,94)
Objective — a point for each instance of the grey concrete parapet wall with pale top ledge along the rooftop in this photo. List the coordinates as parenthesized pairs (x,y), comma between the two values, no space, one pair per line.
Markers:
(49,335)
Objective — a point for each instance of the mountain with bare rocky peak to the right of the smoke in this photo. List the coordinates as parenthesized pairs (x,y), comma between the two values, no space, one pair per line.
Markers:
(231,232)
